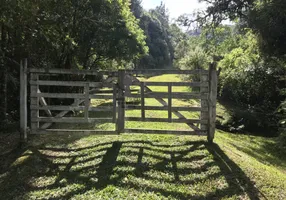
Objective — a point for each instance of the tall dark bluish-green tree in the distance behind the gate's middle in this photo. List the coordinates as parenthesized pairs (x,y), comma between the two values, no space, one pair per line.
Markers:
(161,36)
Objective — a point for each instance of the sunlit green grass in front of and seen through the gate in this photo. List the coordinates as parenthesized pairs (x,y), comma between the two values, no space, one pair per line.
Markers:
(144,166)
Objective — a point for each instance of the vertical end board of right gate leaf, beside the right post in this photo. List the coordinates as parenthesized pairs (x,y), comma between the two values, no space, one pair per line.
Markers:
(204,102)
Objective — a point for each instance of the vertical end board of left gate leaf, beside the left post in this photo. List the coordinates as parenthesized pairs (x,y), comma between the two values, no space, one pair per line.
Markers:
(34,102)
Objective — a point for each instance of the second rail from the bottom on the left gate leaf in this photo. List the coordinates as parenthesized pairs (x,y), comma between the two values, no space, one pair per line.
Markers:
(71,120)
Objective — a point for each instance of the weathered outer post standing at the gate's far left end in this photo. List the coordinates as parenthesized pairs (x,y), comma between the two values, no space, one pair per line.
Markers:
(23,100)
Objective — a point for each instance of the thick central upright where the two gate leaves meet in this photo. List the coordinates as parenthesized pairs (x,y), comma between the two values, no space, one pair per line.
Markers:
(120,125)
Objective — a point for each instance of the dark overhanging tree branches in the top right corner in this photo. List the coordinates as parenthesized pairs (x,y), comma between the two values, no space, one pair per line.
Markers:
(265,18)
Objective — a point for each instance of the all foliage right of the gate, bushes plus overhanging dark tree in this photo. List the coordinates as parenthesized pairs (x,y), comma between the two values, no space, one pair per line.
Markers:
(250,56)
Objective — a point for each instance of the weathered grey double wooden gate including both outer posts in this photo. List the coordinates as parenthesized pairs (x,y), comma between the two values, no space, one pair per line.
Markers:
(75,106)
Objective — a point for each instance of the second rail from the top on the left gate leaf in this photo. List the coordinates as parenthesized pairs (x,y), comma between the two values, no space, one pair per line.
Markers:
(70,83)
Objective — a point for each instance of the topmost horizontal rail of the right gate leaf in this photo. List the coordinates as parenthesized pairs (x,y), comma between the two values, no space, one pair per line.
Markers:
(166,71)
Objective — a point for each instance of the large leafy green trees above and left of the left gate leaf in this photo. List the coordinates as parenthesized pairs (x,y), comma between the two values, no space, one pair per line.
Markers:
(65,34)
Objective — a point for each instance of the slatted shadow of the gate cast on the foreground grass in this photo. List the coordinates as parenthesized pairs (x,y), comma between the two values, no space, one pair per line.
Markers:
(192,170)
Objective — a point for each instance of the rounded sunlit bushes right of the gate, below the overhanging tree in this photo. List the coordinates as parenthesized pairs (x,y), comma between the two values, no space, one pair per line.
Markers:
(247,78)
